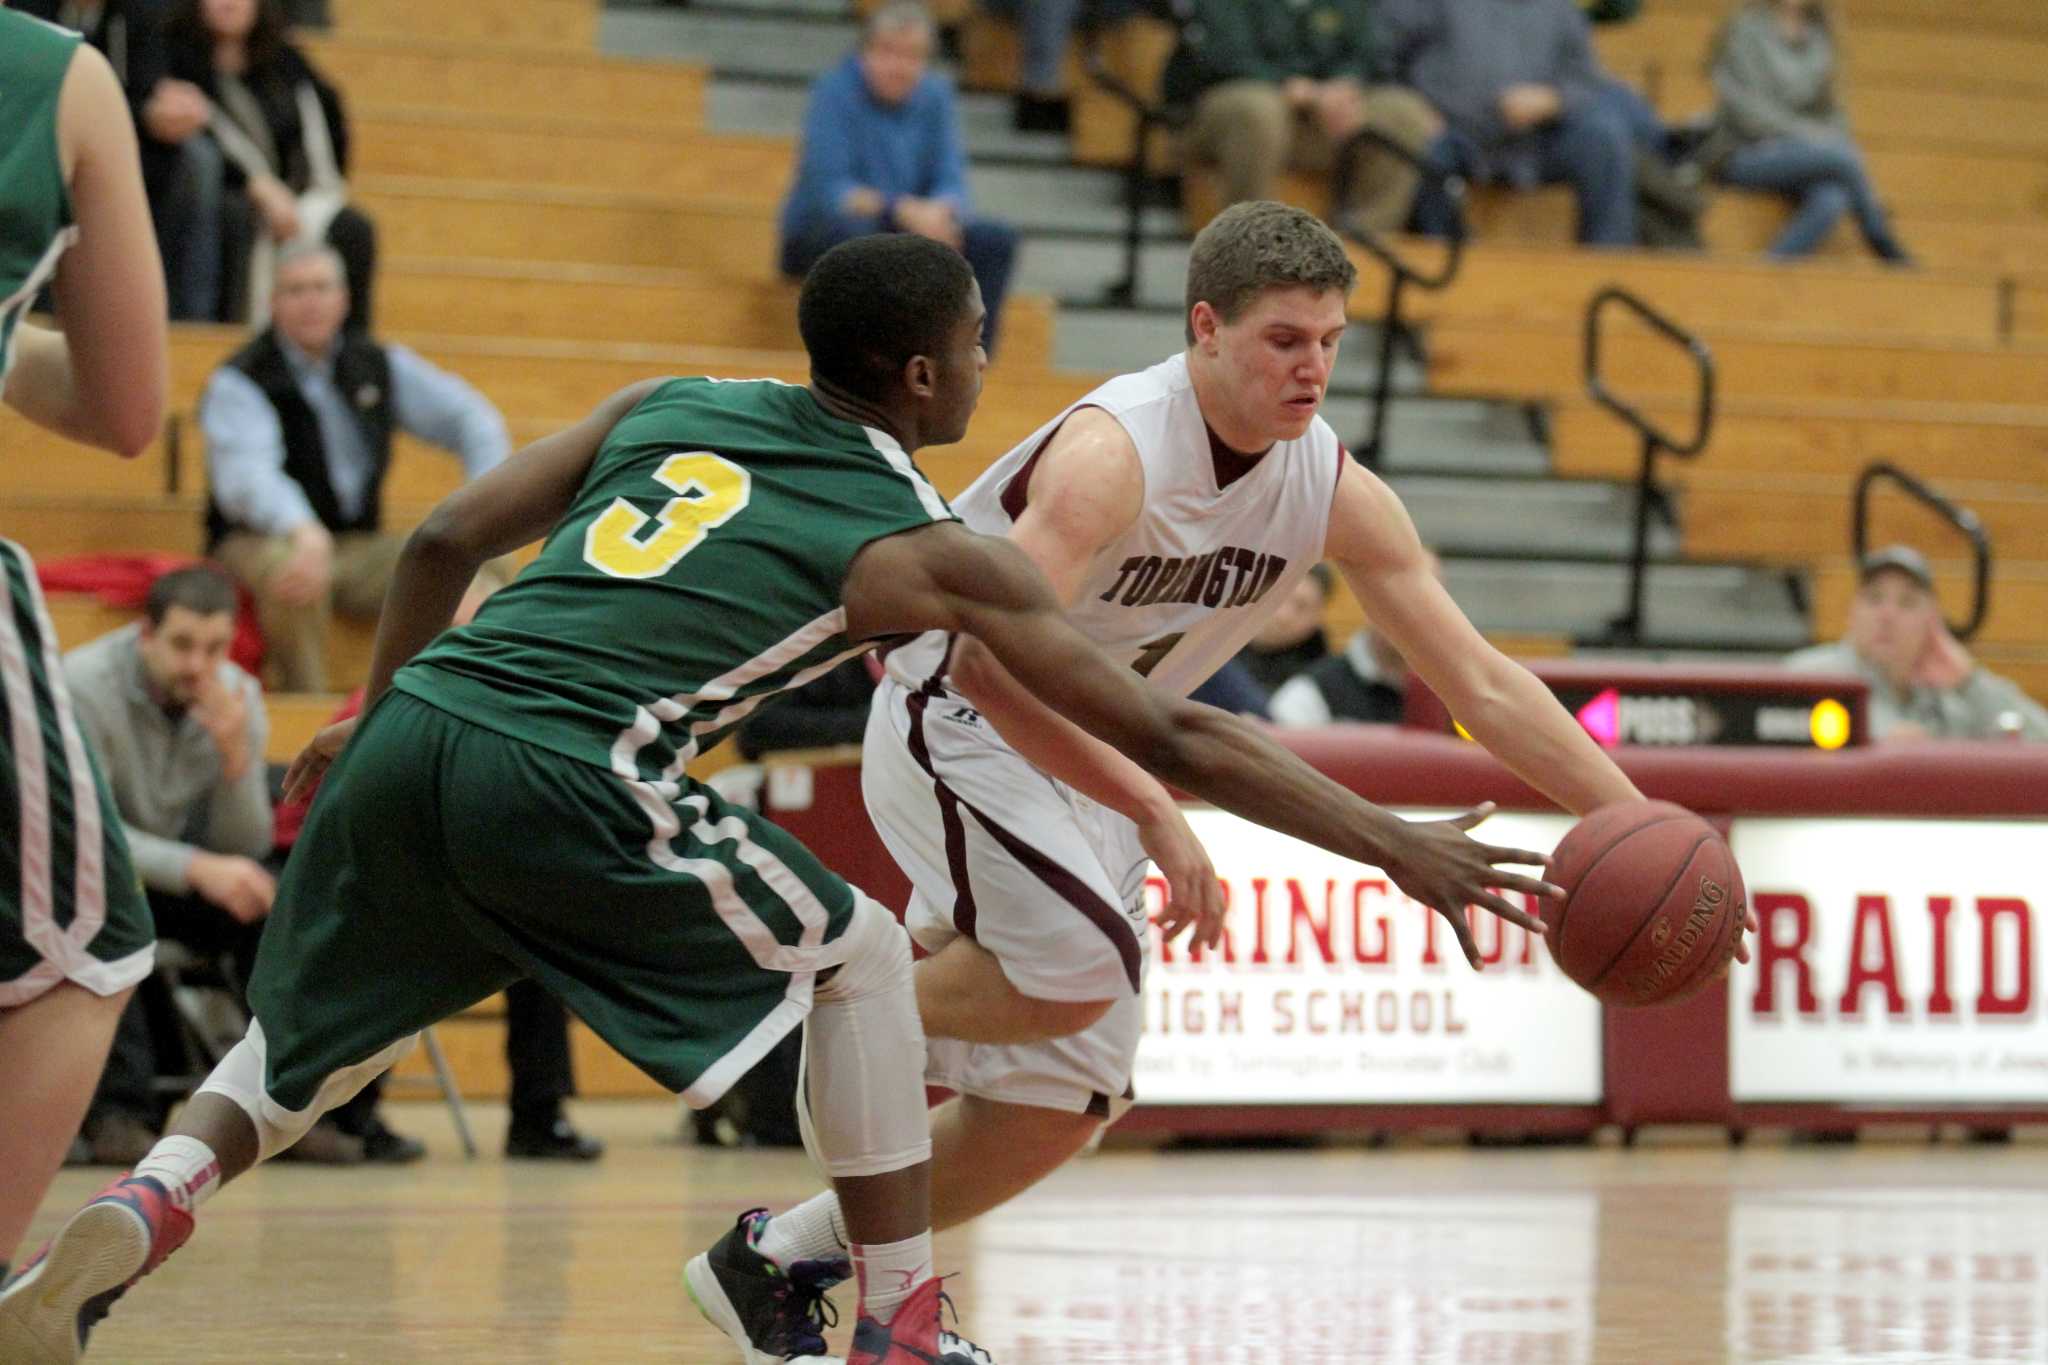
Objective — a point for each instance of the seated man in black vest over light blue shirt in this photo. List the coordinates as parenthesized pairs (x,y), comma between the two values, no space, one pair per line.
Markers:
(300,429)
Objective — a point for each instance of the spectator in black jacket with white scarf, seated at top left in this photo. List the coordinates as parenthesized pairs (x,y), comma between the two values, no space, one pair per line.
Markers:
(261,150)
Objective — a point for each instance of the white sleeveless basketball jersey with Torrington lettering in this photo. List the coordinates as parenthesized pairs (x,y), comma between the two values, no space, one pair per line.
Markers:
(1189,584)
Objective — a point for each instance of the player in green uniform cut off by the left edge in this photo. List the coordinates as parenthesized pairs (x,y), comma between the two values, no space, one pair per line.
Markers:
(75,930)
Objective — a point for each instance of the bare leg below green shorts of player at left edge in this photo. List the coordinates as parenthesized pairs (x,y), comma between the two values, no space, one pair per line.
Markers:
(50,1059)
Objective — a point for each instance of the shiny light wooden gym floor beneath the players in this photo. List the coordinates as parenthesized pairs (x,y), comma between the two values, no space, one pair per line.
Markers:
(1664,1256)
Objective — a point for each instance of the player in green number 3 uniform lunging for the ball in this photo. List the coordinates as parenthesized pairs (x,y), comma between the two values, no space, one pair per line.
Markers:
(515,797)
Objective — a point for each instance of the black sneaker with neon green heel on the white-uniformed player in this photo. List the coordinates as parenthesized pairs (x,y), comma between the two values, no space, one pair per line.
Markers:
(773,1313)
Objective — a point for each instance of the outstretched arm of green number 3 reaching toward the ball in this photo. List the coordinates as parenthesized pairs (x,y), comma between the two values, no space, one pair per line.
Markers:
(947,578)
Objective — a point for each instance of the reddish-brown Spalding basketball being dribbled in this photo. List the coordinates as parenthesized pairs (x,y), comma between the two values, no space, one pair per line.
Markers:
(1654,904)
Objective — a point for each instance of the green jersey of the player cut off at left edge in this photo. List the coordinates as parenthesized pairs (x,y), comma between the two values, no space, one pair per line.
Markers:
(36,210)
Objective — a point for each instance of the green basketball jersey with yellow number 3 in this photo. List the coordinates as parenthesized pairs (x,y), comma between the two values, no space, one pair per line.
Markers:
(697,574)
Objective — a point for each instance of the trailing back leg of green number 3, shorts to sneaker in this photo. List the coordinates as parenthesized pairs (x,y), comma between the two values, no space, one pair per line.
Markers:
(361,953)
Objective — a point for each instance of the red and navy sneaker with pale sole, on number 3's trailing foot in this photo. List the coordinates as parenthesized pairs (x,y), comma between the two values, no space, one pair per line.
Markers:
(52,1307)
